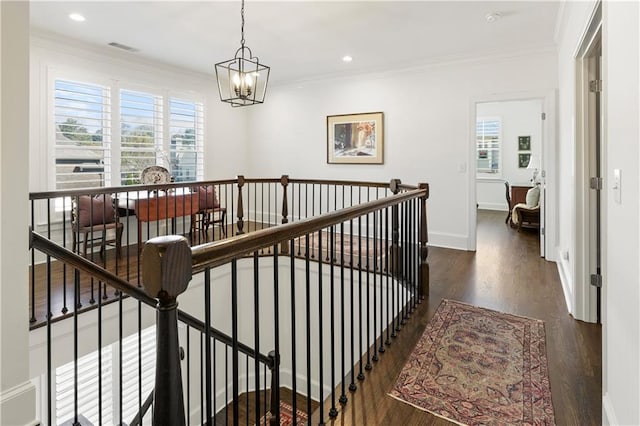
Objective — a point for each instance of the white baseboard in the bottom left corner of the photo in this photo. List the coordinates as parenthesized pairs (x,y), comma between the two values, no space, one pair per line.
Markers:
(18,405)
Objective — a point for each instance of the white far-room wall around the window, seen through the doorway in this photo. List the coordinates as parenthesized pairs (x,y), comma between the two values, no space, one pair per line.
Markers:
(518,118)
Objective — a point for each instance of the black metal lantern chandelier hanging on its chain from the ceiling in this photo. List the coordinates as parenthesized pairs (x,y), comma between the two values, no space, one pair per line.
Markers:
(242,81)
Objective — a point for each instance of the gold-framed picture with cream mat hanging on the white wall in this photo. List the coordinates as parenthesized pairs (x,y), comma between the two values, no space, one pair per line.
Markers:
(355,138)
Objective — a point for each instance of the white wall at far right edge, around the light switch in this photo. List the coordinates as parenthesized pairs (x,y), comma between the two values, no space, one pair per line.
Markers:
(621,57)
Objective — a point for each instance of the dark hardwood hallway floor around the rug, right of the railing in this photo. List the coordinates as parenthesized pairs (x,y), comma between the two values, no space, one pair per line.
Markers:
(506,273)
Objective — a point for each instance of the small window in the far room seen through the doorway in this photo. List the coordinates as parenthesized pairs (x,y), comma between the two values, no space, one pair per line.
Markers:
(488,145)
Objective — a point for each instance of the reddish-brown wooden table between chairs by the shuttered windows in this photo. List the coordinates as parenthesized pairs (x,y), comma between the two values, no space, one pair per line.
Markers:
(164,206)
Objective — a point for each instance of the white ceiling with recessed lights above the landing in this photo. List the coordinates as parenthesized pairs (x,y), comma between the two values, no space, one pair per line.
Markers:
(303,40)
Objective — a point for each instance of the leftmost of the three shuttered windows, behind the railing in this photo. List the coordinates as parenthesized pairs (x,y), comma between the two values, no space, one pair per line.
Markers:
(82,119)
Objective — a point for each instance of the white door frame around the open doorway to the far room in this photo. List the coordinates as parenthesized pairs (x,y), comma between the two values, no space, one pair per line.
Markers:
(548,160)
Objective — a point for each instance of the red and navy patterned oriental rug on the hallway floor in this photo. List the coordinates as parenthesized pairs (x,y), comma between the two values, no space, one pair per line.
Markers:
(476,366)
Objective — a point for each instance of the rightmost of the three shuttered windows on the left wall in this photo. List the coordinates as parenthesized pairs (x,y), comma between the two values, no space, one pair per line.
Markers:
(186,151)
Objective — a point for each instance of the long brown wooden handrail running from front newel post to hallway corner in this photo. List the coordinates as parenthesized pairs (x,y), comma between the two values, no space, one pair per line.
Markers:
(220,252)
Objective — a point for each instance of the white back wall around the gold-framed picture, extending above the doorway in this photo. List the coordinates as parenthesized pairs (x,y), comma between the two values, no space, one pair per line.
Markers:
(426,117)
